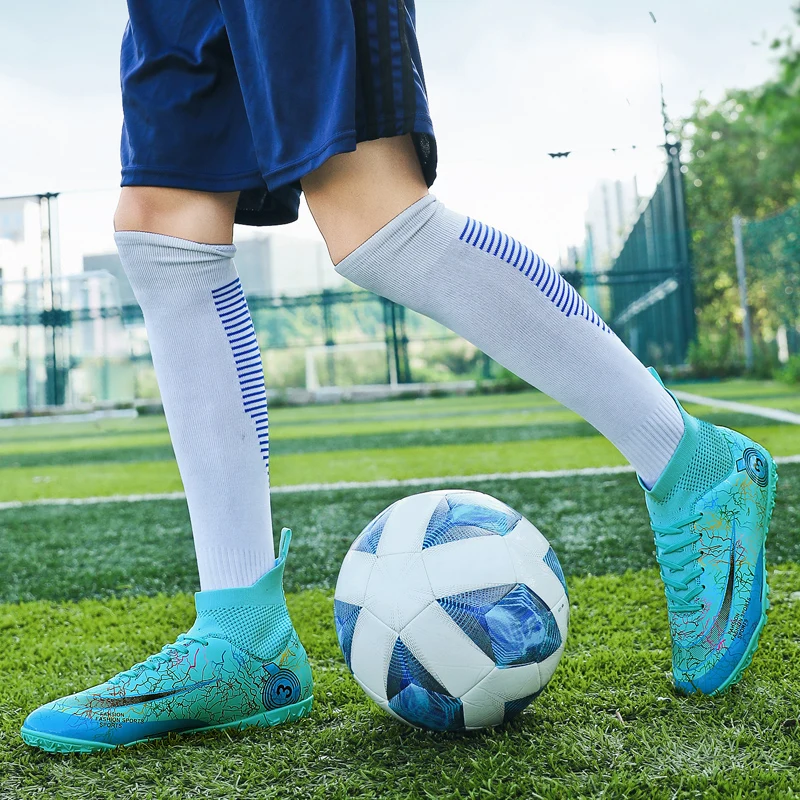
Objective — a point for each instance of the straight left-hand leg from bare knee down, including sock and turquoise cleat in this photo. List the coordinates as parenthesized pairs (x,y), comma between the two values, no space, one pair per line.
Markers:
(209,371)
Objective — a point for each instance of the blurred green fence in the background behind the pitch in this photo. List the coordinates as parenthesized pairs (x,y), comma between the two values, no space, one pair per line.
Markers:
(75,339)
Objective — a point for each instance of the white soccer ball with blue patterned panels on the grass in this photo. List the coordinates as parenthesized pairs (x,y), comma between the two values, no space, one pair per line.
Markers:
(451,610)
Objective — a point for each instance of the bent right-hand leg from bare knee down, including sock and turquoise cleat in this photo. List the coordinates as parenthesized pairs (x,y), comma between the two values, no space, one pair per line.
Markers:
(709,491)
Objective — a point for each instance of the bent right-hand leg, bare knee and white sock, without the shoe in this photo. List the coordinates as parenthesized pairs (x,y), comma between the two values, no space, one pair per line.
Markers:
(572,356)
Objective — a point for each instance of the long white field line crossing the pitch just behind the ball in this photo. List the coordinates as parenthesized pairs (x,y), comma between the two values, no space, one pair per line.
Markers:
(304,488)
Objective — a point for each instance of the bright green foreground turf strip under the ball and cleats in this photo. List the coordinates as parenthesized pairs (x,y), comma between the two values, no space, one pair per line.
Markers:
(609,724)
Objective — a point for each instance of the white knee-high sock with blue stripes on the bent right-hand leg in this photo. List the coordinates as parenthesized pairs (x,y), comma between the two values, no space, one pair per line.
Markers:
(502,297)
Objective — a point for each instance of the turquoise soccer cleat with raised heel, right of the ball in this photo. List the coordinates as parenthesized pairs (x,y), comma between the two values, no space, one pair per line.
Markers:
(710,512)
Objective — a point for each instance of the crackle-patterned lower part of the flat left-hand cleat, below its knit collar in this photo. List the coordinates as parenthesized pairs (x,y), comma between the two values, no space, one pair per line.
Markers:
(211,686)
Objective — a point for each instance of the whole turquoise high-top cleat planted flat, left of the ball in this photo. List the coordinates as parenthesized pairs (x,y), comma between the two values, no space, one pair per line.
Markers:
(240,665)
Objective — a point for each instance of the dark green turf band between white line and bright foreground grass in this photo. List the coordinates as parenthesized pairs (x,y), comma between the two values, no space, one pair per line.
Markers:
(597,524)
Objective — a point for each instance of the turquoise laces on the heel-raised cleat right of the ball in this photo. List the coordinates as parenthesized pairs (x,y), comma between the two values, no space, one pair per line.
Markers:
(675,567)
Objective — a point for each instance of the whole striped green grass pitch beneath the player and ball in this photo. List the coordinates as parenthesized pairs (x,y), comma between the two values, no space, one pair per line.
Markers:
(87,590)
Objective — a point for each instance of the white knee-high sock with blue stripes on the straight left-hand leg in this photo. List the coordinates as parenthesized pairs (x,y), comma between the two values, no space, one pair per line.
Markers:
(209,371)
